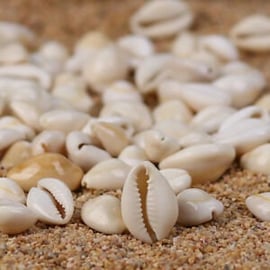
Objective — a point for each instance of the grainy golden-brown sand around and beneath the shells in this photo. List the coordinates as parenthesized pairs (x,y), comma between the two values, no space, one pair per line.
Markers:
(236,240)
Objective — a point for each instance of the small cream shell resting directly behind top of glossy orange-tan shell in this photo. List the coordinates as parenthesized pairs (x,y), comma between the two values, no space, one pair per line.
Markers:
(48,141)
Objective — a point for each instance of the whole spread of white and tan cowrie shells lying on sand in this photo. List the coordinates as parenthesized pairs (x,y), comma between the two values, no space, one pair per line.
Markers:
(86,120)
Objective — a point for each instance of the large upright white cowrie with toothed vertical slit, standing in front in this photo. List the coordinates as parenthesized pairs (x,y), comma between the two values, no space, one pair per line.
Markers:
(148,204)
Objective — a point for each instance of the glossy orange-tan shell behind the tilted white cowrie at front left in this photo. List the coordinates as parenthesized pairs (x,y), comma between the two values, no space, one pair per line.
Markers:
(28,172)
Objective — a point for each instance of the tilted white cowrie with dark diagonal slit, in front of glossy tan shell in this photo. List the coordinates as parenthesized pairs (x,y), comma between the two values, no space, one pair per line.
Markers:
(52,201)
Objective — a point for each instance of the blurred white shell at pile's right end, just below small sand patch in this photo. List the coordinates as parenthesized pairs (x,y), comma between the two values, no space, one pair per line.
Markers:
(243,88)
